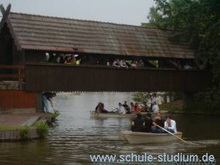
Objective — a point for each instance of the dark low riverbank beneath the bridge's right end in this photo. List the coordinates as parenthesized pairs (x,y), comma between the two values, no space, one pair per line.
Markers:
(178,106)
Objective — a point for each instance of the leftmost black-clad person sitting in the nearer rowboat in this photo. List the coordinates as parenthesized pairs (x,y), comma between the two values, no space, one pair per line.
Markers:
(138,124)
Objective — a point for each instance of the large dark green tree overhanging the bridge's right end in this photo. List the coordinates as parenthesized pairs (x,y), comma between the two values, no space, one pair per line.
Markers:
(197,22)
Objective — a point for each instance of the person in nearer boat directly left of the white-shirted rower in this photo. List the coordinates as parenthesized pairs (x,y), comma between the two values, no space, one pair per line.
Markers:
(158,120)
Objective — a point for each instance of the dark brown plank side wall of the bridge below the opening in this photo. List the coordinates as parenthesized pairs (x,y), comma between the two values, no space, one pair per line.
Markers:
(56,77)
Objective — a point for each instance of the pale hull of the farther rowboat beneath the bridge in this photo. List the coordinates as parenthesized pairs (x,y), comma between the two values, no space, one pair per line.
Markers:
(113,115)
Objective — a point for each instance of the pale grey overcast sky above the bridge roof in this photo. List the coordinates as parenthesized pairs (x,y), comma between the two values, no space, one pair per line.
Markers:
(131,12)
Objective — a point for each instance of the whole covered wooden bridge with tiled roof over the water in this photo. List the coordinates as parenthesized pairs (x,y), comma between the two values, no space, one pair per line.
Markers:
(27,40)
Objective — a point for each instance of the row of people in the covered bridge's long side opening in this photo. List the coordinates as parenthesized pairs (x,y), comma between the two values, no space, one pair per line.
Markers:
(77,59)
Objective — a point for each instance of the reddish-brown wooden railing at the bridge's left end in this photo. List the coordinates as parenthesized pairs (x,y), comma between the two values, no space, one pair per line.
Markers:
(12,72)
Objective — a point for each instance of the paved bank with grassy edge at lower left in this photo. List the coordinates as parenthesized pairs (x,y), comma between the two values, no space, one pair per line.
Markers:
(14,127)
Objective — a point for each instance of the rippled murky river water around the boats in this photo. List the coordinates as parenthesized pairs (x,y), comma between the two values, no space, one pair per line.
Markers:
(75,136)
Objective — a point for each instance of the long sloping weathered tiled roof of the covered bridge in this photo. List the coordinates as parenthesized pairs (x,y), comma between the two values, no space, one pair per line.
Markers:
(35,32)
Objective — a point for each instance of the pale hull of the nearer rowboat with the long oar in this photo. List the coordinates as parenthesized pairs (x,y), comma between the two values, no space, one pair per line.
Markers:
(144,137)
